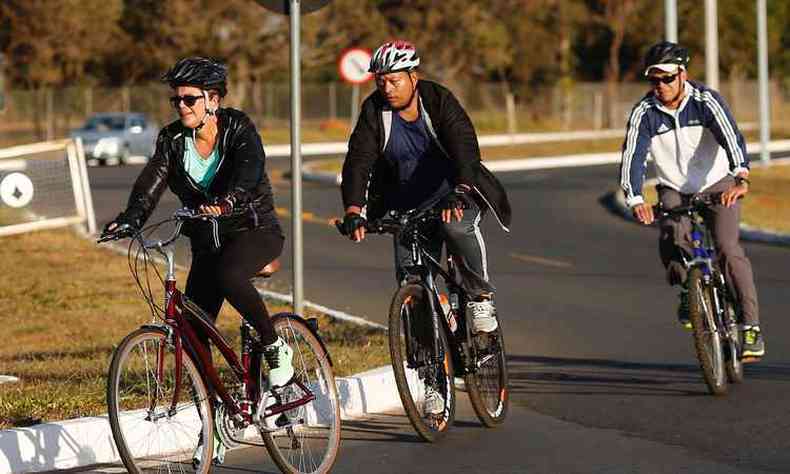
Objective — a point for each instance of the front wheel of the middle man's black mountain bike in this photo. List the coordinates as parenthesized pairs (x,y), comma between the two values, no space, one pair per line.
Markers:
(412,299)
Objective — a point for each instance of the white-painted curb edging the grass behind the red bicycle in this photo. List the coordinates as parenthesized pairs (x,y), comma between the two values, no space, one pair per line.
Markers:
(88,441)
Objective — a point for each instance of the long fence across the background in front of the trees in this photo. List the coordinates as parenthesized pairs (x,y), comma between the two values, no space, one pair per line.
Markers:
(495,108)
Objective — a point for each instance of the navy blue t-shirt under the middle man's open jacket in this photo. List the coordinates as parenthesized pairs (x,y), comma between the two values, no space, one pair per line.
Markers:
(423,172)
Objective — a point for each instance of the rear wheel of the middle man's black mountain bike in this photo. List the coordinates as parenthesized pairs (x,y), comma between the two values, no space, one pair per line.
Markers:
(488,387)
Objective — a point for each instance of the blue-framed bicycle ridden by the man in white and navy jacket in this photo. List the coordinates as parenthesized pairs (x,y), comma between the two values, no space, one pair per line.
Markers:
(713,310)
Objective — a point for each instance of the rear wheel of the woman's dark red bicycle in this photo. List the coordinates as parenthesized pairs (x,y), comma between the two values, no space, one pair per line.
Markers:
(318,444)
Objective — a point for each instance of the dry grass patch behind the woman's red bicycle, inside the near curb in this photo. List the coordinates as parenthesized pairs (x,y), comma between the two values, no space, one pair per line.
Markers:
(68,302)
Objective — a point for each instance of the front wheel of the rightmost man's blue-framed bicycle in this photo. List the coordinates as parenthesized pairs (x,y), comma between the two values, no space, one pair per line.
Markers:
(707,340)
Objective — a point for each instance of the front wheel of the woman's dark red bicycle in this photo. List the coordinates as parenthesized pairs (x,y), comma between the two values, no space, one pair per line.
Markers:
(154,429)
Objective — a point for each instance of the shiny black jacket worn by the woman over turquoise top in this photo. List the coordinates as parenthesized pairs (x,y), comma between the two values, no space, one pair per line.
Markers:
(240,179)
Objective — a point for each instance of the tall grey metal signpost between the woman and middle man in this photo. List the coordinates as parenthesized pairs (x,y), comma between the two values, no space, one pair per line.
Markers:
(296,157)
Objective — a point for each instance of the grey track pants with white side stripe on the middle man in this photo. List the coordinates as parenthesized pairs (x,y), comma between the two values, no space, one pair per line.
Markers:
(465,243)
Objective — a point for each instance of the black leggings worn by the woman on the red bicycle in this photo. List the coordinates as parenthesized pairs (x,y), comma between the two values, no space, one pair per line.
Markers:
(215,277)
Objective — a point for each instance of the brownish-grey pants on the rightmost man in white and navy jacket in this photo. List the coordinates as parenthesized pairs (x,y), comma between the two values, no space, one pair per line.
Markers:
(723,222)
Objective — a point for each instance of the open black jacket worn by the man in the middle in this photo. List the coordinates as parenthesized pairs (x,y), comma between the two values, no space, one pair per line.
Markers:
(368,177)
